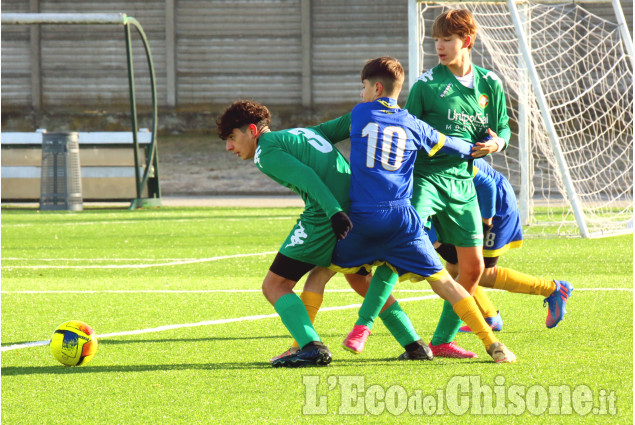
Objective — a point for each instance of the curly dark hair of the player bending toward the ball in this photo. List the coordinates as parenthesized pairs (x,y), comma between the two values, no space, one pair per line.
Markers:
(240,114)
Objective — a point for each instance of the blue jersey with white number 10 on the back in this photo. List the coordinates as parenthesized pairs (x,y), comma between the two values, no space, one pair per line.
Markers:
(384,143)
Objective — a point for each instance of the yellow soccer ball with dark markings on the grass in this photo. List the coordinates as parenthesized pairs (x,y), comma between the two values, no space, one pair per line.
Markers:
(73,343)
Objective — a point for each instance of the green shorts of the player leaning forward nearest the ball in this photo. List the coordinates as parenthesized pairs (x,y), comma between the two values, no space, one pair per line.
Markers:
(311,241)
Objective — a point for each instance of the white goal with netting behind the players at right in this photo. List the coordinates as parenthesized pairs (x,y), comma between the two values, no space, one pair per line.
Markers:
(571,163)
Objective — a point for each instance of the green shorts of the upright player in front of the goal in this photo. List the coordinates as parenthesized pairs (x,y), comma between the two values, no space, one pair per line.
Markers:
(453,207)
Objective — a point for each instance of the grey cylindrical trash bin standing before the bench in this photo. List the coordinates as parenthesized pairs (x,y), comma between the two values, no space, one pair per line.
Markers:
(61,179)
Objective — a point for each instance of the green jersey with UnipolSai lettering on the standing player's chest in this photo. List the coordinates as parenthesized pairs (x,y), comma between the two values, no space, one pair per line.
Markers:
(439,99)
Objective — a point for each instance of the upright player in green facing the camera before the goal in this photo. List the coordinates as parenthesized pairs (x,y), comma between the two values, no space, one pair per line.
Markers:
(463,100)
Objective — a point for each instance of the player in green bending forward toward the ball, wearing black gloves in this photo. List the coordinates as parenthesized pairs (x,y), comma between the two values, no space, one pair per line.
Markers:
(304,160)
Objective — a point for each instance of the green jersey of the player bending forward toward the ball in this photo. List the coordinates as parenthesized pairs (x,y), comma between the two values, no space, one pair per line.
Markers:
(305,161)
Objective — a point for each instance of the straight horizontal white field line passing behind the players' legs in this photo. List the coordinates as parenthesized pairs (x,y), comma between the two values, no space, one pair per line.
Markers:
(229,291)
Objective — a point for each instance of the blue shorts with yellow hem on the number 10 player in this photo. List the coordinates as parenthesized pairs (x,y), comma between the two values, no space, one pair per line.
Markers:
(393,235)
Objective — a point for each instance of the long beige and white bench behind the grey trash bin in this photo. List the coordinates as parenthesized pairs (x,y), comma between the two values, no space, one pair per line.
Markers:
(106,159)
